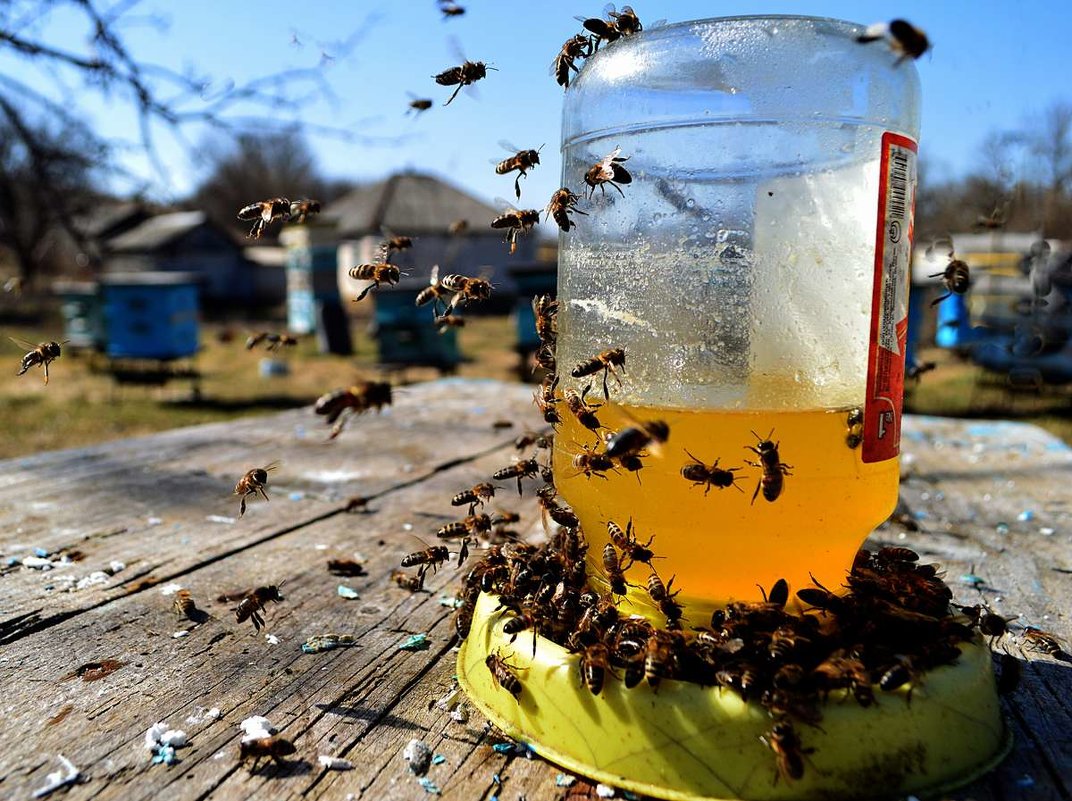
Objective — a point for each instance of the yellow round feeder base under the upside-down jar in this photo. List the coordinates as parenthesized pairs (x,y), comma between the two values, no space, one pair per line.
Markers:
(686,743)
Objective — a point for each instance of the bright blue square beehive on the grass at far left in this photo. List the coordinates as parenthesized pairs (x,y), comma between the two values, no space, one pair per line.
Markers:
(151,316)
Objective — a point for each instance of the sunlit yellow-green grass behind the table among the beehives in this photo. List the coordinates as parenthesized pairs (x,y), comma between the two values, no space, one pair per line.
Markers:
(81,407)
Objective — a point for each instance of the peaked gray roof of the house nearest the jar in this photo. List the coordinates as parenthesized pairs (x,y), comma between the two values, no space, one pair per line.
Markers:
(408,203)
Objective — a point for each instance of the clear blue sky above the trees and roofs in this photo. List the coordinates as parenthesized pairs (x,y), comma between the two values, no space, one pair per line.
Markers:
(993,65)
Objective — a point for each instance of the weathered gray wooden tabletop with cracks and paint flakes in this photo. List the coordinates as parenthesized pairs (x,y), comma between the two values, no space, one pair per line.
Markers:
(90,663)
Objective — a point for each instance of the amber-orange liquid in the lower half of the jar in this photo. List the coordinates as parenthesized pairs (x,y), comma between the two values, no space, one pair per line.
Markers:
(721,545)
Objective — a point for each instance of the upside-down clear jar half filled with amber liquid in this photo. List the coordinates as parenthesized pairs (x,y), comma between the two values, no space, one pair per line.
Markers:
(755,273)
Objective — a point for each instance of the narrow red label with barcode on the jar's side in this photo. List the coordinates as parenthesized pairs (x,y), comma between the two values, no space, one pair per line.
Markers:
(889,334)
